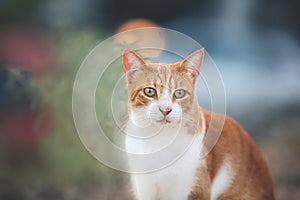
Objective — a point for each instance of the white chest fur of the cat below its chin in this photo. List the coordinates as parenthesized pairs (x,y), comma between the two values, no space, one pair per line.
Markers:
(173,182)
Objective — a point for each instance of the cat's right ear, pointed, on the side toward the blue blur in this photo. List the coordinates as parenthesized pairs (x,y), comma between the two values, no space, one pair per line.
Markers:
(191,64)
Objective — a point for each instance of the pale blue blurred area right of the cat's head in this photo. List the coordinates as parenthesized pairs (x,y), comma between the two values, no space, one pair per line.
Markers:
(260,68)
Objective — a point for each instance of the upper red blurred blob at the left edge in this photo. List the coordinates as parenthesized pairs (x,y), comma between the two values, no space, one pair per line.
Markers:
(27,49)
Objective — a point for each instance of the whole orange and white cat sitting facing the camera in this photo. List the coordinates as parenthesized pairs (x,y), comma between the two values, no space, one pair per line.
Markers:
(163,104)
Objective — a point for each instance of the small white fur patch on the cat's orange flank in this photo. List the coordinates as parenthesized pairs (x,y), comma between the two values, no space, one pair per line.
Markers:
(223,180)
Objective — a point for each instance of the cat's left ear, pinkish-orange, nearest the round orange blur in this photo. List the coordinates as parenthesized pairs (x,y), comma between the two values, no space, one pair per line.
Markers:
(131,61)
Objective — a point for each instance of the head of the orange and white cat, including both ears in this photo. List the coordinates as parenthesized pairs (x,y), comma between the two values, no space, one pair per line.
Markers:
(160,93)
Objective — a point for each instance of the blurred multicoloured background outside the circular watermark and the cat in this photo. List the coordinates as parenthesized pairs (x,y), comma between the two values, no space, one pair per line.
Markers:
(255,44)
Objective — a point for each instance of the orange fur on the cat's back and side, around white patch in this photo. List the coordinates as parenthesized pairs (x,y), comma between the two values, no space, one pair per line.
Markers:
(253,180)
